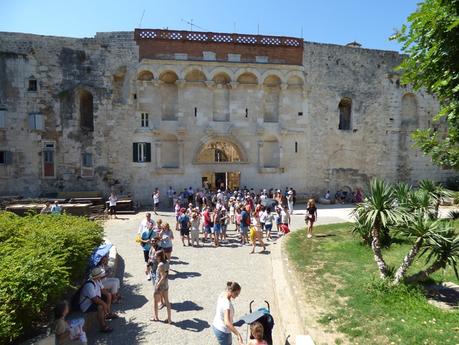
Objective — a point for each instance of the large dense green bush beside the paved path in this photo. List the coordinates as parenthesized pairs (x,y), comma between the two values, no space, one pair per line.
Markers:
(40,257)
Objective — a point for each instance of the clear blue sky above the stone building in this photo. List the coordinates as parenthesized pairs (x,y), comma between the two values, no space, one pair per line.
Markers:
(368,22)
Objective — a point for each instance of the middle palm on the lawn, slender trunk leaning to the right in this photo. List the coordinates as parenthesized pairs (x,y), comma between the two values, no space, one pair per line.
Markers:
(417,227)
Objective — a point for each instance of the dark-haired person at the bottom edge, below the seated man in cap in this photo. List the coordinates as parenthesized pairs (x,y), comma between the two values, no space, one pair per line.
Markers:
(65,334)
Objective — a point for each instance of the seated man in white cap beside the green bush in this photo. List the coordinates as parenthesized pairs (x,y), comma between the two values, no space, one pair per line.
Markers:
(93,300)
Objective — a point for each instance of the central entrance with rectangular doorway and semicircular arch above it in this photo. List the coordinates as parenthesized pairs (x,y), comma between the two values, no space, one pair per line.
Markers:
(220,159)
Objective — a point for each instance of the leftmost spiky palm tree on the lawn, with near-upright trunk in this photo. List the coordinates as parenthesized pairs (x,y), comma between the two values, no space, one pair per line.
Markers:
(379,210)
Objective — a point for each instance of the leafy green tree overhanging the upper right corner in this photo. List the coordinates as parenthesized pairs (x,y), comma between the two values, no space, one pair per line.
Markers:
(431,40)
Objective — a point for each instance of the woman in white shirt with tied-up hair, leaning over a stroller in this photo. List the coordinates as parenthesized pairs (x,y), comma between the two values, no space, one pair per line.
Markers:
(223,320)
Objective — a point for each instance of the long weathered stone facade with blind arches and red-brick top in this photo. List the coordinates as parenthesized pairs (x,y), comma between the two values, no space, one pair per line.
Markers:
(153,108)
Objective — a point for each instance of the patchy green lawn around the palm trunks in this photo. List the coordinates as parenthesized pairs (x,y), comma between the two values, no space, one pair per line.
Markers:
(340,273)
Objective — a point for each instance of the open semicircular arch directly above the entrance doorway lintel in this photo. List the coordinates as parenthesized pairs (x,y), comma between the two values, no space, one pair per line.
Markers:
(232,150)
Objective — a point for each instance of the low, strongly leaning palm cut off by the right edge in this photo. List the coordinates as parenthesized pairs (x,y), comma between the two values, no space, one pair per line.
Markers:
(443,250)
